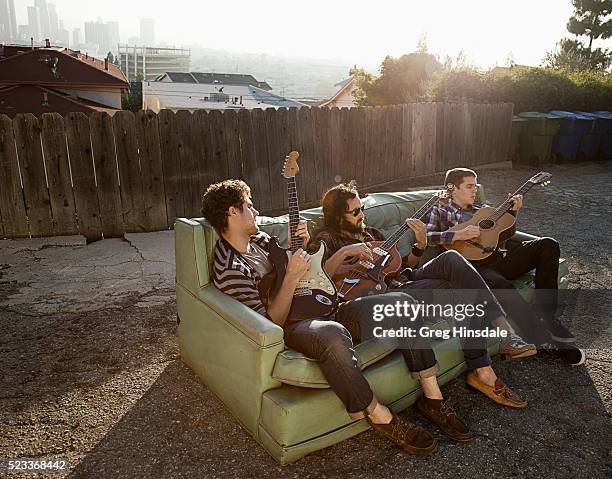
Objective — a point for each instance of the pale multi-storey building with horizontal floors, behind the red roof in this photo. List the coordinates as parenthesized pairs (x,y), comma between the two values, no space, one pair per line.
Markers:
(148,63)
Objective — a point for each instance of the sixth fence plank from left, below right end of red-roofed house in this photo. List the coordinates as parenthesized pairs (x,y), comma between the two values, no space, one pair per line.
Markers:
(130,180)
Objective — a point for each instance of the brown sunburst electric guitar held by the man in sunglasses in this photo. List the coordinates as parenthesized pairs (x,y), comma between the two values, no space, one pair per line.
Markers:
(369,277)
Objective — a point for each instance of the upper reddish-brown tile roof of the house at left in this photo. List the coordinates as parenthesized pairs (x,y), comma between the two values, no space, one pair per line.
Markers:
(23,65)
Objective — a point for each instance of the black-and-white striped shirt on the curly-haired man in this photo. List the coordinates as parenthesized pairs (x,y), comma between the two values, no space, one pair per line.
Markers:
(235,276)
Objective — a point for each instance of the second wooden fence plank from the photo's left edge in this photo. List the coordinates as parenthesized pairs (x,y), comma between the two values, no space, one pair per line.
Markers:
(38,205)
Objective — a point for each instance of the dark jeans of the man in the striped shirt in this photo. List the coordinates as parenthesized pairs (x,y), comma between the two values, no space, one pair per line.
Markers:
(330,341)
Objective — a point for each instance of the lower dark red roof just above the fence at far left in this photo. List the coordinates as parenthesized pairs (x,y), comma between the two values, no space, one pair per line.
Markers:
(31,99)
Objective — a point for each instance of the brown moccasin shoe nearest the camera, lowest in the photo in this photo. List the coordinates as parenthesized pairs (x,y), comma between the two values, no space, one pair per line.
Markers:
(409,437)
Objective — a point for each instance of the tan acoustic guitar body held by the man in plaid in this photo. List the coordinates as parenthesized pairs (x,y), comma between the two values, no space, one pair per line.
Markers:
(490,234)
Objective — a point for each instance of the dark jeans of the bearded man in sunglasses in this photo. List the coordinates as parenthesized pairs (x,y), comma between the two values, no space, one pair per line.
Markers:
(450,270)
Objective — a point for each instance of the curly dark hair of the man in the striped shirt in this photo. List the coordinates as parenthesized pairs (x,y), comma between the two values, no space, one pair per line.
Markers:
(218,198)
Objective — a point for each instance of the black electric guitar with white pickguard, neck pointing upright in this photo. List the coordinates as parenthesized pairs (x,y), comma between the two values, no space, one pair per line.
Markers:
(316,294)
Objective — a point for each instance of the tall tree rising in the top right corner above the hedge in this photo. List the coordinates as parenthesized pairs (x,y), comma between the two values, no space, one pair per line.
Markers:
(590,19)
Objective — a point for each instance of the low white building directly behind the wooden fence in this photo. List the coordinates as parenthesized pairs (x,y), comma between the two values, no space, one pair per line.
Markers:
(191,96)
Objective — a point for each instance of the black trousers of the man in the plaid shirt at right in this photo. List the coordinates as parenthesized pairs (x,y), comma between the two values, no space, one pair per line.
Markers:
(543,255)
